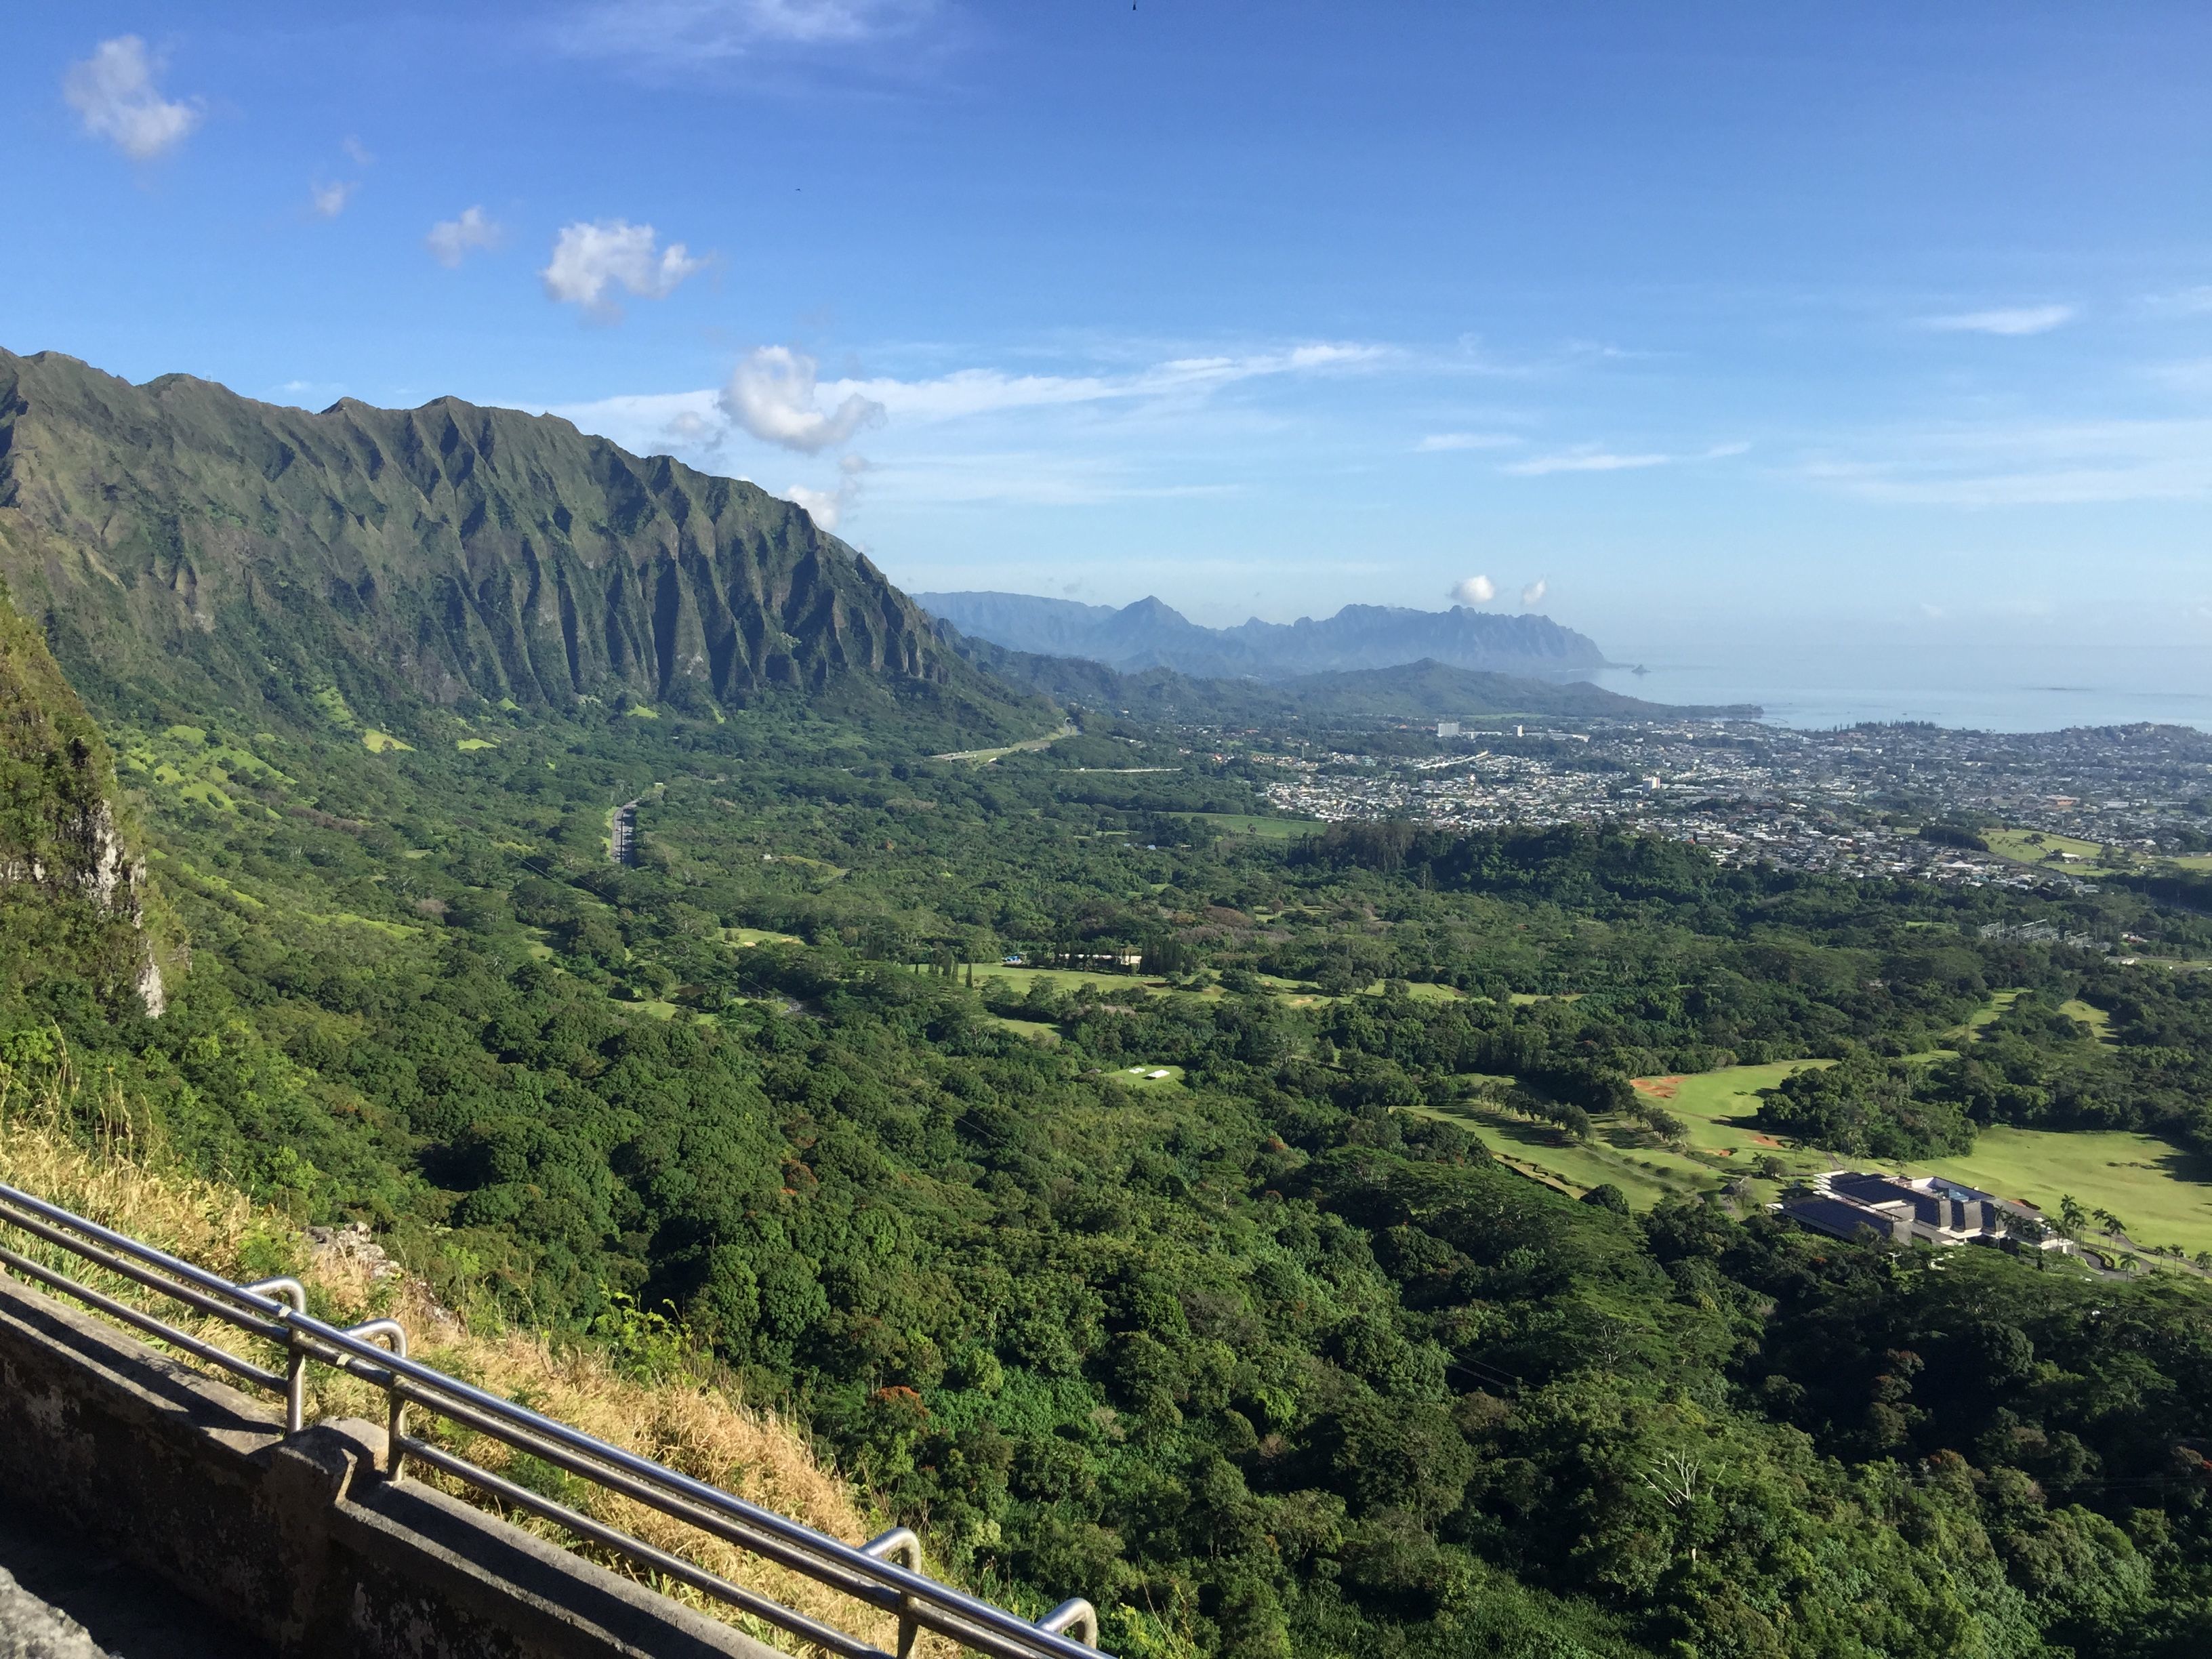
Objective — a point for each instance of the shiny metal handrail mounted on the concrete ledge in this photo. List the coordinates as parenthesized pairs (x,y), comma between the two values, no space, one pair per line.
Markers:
(278,1311)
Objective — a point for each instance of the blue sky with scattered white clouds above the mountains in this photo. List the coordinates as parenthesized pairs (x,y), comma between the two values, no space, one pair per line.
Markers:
(1782,333)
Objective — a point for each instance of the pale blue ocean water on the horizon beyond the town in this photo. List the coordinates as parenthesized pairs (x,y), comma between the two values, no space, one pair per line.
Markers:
(1994,702)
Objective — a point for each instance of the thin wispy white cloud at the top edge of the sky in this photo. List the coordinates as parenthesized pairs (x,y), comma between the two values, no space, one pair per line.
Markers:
(693,32)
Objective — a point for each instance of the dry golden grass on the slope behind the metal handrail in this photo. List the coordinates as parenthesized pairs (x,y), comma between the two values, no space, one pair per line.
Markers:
(689,1419)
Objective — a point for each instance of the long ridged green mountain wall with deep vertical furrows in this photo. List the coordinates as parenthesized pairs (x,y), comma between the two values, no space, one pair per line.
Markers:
(182,539)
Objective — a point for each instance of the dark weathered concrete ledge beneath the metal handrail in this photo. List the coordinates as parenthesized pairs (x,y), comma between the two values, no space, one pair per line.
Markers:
(298,1541)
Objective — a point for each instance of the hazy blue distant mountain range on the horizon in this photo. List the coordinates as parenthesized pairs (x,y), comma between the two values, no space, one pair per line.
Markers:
(1361,636)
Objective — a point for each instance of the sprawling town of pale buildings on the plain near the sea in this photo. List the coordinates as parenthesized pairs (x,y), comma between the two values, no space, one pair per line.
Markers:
(1844,802)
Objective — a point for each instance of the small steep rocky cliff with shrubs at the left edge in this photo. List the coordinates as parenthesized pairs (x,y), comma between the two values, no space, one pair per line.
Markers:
(72,890)
